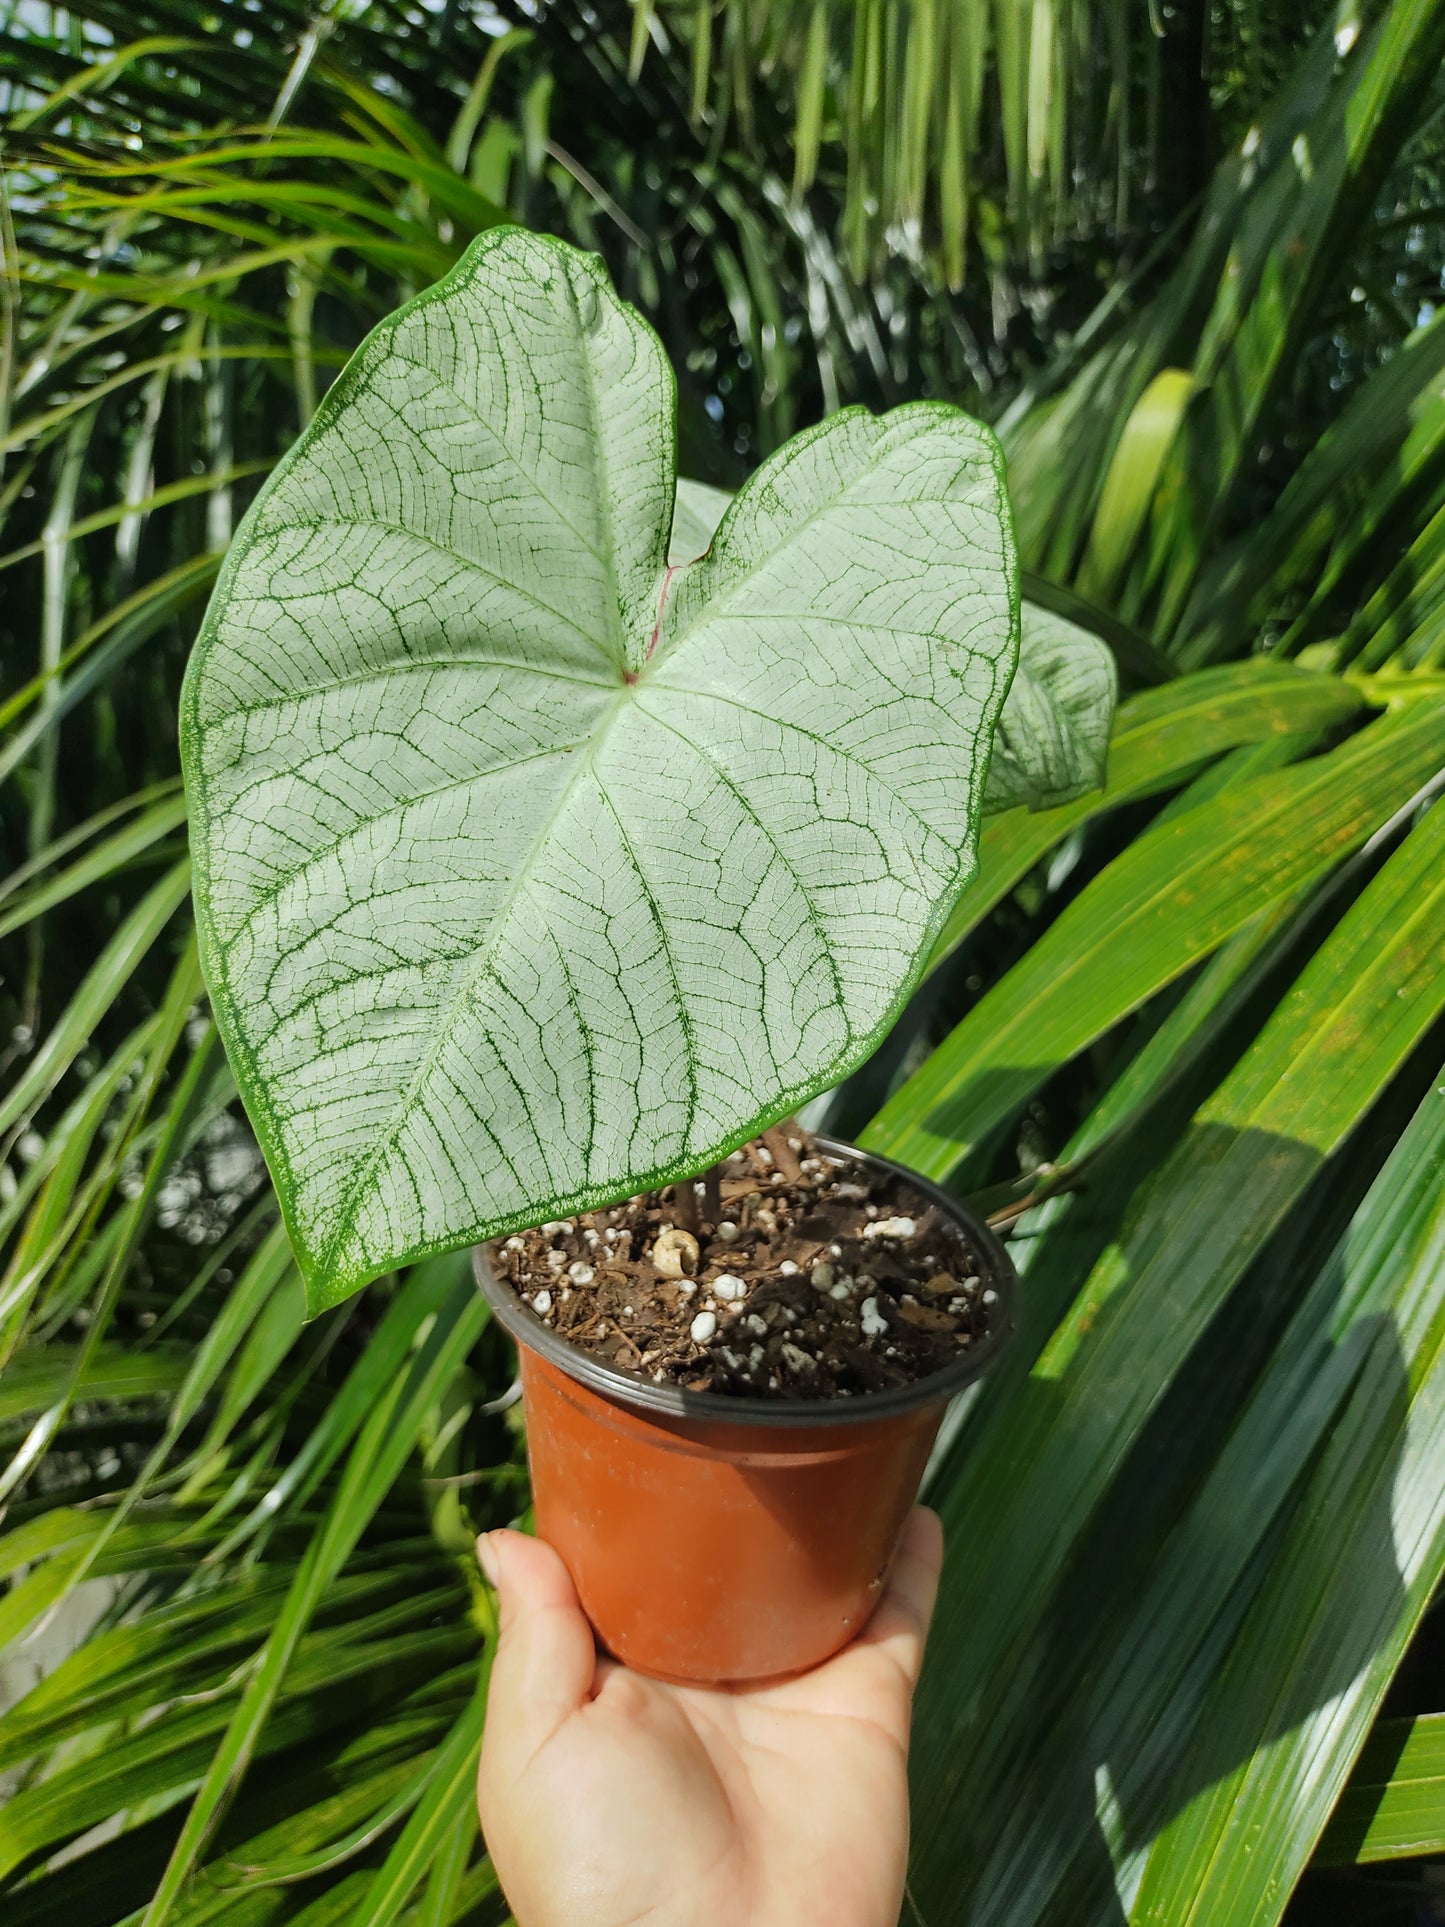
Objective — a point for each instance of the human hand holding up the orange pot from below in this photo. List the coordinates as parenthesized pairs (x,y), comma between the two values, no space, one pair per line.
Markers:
(614,1801)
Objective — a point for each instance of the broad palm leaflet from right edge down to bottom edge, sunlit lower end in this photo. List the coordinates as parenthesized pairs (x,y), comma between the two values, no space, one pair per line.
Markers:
(1278,1731)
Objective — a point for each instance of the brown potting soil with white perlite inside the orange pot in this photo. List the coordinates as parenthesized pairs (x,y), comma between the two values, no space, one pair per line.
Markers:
(793,1275)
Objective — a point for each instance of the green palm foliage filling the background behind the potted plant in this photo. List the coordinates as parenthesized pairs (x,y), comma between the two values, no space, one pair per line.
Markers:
(1184,1040)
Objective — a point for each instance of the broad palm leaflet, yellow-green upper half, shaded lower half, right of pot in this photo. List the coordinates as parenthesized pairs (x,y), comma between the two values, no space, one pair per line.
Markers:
(1043,1464)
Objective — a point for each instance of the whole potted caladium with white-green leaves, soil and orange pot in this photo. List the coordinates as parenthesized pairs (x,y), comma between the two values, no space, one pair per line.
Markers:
(558,833)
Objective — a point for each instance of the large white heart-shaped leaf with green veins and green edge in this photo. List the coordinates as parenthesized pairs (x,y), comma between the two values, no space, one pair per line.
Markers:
(533,872)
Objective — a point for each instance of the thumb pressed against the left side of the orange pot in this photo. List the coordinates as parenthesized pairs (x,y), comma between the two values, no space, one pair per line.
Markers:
(546,1656)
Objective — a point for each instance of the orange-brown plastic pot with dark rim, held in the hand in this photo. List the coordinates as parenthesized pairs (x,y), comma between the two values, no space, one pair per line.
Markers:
(716,1539)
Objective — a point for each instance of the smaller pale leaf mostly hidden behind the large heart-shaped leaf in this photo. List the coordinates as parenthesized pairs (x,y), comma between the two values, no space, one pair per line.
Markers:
(1051,743)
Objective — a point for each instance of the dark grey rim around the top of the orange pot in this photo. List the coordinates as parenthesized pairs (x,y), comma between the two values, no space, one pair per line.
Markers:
(671,1402)
